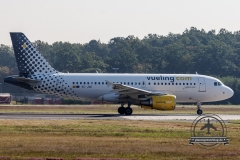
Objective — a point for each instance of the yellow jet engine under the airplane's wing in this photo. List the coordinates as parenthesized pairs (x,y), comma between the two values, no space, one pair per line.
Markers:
(164,102)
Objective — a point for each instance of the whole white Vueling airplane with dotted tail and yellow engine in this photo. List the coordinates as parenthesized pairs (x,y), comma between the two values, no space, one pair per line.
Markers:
(150,91)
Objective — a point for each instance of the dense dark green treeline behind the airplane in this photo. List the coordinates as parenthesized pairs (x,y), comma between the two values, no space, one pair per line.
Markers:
(208,53)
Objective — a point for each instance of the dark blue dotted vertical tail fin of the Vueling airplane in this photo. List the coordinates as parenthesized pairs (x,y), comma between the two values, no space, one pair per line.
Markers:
(29,60)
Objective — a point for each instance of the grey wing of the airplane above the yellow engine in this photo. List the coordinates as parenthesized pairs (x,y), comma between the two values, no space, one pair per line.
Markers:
(129,90)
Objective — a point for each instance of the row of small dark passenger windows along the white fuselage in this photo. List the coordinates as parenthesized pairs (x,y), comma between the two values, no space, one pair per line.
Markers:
(133,83)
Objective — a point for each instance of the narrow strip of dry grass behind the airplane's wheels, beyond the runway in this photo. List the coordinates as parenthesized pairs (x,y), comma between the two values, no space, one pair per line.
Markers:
(112,109)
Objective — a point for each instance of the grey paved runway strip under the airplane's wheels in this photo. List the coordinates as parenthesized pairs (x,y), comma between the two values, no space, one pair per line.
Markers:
(153,117)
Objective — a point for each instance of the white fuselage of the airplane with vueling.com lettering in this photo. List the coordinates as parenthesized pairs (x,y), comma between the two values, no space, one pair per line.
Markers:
(186,87)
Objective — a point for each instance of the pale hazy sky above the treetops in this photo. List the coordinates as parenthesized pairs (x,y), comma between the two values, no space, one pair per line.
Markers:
(79,21)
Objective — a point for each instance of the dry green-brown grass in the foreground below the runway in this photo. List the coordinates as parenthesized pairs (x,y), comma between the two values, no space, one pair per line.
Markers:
(70,139)
